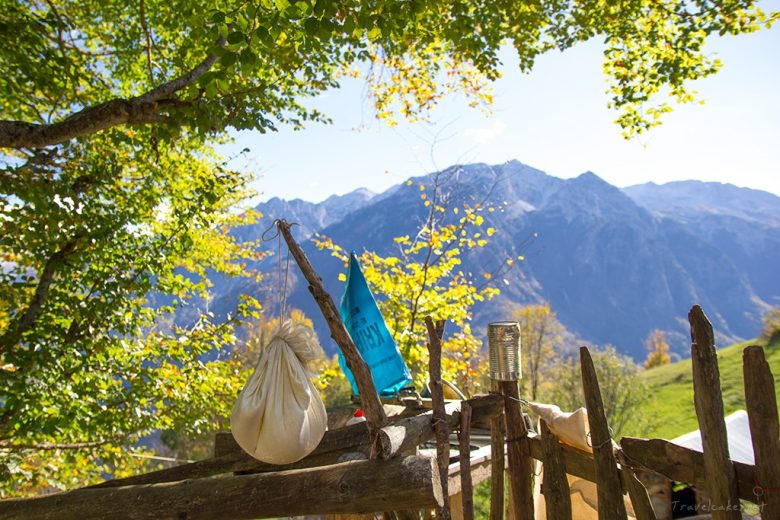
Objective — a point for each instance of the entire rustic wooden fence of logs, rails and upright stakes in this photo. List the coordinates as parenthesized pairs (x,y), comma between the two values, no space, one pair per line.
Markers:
(375,467)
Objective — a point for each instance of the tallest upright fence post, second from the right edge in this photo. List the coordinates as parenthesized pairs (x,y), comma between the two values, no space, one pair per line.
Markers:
(720,477)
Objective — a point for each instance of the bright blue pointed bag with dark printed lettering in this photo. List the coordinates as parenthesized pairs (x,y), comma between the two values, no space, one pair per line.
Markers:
(367,327)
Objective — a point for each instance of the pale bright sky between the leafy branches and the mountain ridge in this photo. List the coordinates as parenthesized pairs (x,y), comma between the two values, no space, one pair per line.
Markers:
(554,119)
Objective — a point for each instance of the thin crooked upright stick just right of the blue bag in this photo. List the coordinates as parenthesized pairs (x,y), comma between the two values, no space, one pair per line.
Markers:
(435,333)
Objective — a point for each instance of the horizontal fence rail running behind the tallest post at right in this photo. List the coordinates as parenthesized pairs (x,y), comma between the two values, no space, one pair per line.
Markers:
(683,464)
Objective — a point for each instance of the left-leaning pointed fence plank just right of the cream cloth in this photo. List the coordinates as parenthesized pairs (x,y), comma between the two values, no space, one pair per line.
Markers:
(609,487)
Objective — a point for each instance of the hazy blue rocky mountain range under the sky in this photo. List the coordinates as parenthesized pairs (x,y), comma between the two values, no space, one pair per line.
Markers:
(613,263)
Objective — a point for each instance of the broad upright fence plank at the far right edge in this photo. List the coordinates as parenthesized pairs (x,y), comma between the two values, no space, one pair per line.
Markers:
(761,405)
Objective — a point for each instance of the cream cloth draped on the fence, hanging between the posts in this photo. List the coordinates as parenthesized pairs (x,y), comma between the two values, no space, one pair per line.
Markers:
(571,428)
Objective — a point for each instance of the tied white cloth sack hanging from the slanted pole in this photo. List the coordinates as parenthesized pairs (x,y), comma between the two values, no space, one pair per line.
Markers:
(279,417)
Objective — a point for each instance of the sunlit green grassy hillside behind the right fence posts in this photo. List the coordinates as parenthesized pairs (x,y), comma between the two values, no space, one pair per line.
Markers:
(671,387)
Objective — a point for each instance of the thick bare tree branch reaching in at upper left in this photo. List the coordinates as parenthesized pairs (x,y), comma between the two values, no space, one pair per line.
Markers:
(142,109)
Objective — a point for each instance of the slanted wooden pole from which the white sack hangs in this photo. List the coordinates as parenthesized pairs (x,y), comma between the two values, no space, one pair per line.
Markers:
(369,399)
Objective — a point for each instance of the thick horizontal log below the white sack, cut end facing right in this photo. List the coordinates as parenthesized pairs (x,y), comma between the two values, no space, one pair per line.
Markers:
(351,487)
